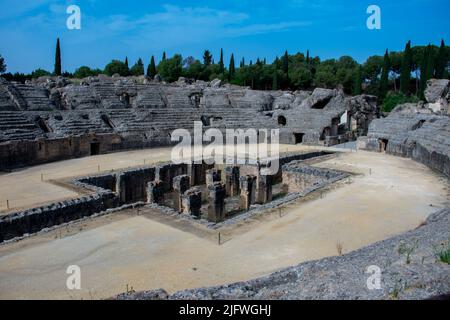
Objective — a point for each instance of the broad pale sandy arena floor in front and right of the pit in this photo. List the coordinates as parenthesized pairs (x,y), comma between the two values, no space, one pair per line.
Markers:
(389,196)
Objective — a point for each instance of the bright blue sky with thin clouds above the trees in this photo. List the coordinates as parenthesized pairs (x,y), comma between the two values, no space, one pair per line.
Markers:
(114,29)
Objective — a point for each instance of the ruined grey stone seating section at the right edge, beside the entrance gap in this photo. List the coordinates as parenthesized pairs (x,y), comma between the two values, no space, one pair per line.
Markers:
(420,131)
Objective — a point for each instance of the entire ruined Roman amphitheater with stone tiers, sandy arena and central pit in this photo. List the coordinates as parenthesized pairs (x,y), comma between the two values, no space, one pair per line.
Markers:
(86,179)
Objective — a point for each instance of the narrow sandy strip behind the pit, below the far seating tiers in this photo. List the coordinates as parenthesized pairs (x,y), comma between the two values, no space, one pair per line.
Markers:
(24,189)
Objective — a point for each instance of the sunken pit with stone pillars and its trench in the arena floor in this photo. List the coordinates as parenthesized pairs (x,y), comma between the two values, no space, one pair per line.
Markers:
(211,193)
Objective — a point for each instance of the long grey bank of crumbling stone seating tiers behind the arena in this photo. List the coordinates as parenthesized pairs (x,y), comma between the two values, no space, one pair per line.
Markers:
(50,119)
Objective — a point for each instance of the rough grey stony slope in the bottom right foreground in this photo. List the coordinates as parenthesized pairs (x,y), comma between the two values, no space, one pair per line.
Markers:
(345,277)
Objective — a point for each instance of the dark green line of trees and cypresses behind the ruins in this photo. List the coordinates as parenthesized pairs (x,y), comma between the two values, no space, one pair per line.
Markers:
(396,77)
